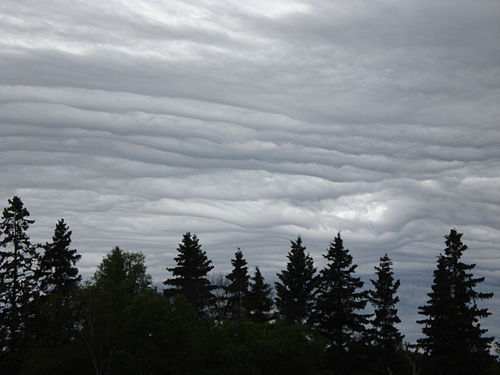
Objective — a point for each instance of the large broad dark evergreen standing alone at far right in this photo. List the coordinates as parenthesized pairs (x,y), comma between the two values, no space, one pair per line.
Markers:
(454,339)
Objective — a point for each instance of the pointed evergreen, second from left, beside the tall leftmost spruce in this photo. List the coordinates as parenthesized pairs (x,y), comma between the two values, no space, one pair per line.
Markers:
(58,263)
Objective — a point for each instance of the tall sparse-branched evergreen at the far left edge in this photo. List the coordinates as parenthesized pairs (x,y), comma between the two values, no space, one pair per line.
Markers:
(18,282)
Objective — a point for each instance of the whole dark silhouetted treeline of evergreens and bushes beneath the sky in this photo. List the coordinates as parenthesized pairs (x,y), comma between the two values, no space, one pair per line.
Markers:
(315,322)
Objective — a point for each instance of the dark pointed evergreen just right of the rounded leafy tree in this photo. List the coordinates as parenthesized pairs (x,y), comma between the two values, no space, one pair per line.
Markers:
(190,274)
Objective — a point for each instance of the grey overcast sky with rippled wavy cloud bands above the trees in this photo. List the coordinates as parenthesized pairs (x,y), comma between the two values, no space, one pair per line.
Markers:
(252,123)
